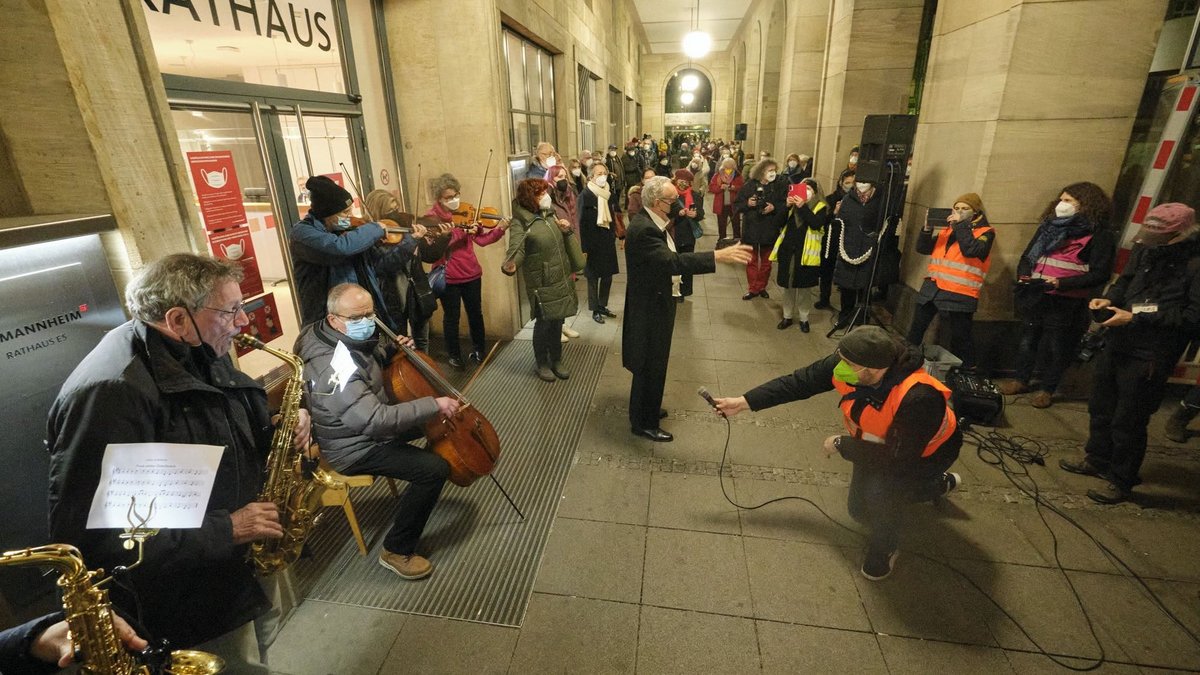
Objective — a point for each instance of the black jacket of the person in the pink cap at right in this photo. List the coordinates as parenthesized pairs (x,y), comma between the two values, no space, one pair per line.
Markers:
(1165,284)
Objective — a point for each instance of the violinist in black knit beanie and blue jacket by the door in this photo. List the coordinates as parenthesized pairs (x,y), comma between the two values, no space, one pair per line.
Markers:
(328,249)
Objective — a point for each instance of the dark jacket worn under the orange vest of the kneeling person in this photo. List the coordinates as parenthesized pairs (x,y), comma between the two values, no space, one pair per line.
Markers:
(919,419)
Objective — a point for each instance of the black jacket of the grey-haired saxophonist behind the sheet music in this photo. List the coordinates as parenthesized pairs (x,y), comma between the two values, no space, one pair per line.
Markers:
(137,387)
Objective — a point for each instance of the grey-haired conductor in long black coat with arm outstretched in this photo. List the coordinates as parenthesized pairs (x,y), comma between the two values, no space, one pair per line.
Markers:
(651,261)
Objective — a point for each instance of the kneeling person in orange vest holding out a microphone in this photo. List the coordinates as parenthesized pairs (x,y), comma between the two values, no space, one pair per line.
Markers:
(903,437)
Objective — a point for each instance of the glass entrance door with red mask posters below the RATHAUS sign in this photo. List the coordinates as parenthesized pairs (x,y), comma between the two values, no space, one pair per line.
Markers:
(248,166)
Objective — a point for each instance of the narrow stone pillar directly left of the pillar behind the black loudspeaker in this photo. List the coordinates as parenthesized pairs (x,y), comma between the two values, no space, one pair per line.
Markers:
(808,25)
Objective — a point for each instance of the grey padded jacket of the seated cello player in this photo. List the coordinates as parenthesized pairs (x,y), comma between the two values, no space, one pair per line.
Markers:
(352,419)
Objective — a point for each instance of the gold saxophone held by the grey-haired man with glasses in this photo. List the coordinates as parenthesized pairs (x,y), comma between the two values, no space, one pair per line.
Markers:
(295,485)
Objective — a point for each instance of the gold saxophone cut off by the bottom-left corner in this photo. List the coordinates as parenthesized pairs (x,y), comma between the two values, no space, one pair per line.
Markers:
(91,620)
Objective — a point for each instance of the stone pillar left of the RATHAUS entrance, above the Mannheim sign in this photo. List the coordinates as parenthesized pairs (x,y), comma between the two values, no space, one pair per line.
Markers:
(93,133)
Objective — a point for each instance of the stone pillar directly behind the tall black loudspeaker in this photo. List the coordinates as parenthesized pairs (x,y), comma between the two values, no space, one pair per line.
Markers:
(872,50)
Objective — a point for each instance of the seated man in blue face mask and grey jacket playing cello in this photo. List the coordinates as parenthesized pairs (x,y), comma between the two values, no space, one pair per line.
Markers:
(361,432)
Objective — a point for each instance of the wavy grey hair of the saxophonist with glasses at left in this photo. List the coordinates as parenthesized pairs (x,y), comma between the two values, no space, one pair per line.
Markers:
(181,280)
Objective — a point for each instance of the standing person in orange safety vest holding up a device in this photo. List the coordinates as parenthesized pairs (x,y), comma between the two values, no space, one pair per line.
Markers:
(958,265)
